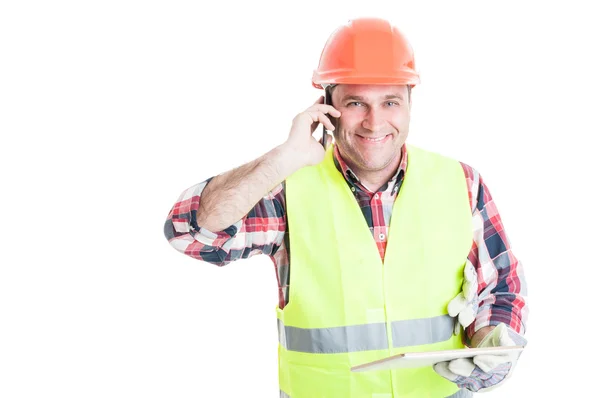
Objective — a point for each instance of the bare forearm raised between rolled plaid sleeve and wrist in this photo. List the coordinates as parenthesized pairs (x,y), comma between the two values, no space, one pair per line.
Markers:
(230,196)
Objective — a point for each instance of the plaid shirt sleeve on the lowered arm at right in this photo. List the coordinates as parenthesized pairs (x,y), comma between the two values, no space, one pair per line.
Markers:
(502,288)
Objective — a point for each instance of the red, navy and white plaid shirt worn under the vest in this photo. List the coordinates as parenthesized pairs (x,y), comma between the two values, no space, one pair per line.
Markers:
(264,231)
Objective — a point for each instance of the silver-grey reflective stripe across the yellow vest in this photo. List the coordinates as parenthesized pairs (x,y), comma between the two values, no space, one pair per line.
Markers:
(372,336)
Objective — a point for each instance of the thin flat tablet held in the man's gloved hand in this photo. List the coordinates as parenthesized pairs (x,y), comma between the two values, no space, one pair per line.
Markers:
(419,359)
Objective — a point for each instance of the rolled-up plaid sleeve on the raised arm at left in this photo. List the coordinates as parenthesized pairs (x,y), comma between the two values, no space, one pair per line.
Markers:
(261,231)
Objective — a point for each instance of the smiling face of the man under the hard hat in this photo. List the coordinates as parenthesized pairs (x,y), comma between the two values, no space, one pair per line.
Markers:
(373,125)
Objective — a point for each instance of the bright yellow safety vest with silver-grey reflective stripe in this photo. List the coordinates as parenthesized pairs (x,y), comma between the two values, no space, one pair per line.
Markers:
(346,307)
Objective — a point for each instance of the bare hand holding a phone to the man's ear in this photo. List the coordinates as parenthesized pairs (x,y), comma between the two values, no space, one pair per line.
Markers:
(301,145)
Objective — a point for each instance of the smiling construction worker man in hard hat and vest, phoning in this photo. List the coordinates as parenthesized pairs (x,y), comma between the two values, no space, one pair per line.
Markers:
(380,247)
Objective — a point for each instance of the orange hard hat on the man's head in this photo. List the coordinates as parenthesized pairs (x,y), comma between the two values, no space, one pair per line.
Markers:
(366,51)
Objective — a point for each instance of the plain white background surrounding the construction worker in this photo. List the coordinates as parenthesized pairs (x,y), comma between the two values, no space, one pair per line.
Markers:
(109,110)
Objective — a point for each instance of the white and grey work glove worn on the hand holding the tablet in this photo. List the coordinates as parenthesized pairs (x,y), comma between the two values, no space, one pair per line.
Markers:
(484,372)
